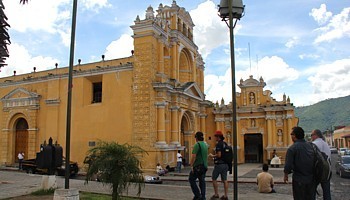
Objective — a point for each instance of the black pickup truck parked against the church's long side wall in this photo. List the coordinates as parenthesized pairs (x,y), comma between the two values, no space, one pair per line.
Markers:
(31,167)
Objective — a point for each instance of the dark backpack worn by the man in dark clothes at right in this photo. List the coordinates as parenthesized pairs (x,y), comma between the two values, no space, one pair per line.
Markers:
(322,165)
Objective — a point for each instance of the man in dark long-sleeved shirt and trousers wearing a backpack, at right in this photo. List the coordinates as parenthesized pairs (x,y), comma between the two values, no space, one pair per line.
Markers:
(300,161)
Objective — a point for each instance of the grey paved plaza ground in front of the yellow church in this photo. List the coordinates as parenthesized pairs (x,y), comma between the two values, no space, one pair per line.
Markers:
(14,184)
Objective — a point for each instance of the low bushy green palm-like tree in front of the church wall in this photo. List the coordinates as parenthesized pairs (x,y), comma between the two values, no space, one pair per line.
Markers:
(116,165)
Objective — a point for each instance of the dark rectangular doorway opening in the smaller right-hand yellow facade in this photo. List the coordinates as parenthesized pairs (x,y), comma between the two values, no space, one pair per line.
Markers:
(253,148)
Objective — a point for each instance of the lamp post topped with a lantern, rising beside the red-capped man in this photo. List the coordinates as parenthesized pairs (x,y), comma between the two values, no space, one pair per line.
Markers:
(229,10)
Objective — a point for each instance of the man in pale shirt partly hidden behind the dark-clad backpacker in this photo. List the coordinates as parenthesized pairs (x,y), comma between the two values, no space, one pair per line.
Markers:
(317,139)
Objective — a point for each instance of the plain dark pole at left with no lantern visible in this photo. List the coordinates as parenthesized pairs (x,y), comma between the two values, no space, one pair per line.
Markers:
(69,100)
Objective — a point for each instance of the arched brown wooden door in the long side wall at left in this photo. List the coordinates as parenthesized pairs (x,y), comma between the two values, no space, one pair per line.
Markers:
(21,137)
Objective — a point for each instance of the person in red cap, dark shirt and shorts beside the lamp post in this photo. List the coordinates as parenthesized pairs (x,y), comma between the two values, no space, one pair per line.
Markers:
(221,167)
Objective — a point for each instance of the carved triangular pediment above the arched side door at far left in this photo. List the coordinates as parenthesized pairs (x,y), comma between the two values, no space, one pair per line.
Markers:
(20,97)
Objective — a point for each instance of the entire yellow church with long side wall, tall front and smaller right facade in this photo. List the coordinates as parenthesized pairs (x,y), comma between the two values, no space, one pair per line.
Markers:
(153,99)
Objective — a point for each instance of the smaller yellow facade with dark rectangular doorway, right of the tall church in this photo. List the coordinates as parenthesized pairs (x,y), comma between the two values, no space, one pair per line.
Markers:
(263,123)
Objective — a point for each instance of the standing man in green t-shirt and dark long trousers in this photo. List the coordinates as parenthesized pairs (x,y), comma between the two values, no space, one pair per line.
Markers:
(199,157)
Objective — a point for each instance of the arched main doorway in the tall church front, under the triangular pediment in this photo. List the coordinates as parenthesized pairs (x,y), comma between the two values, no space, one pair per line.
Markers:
(186,134)
